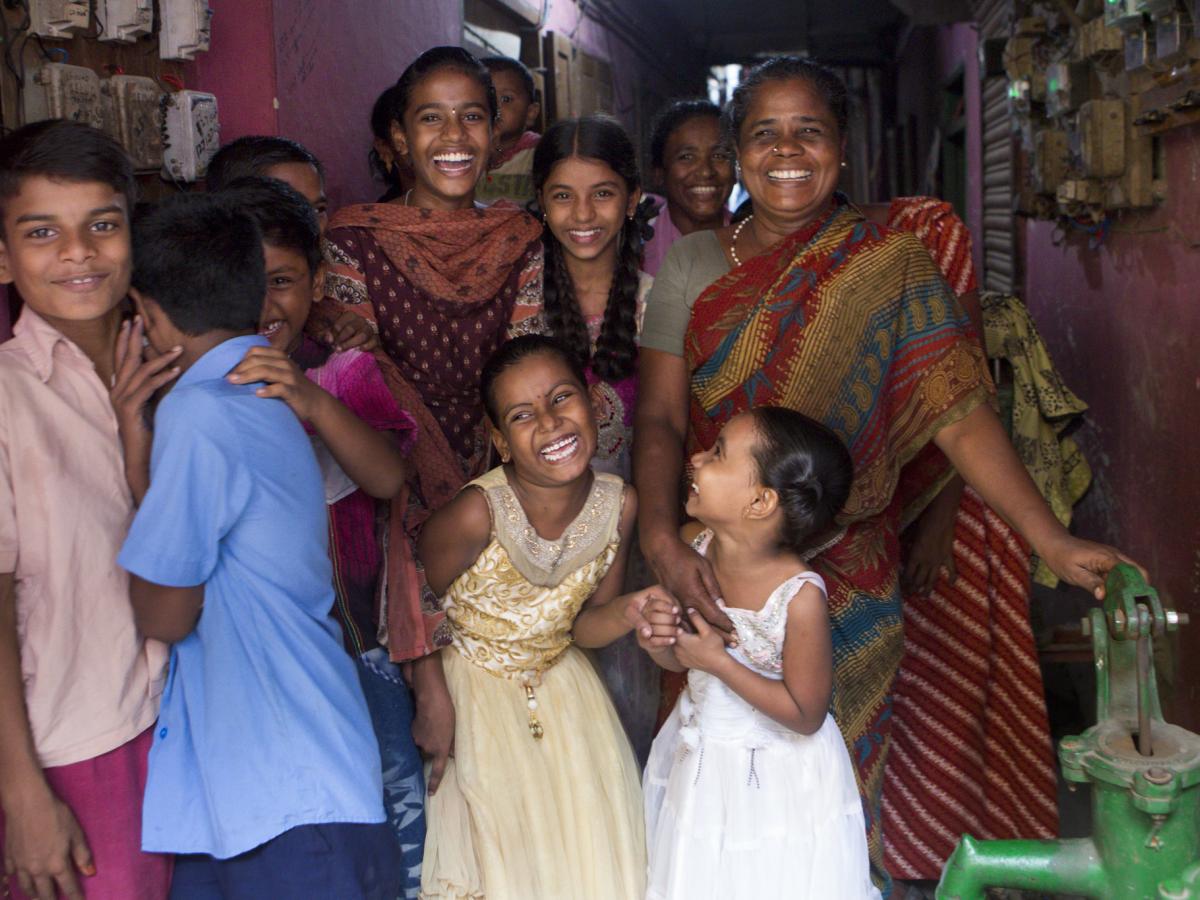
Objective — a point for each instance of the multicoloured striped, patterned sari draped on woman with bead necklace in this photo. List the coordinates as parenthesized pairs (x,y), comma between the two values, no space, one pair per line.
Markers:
(851,325)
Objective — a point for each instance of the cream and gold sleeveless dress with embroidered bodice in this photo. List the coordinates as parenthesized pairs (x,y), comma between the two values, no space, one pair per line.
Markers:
(542,799)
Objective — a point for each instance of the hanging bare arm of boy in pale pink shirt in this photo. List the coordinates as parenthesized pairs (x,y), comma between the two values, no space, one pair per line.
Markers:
(44,843)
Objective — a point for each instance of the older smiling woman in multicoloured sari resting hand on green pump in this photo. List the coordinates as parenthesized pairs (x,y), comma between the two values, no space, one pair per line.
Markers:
(811,307)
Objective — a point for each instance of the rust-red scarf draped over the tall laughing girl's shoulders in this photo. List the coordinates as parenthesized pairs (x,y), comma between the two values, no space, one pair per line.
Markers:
(459,263)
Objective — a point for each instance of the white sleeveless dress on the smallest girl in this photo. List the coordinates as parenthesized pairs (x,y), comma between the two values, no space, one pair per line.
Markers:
(740,807)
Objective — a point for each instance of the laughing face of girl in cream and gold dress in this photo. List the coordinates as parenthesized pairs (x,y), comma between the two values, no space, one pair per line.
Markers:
(547,422)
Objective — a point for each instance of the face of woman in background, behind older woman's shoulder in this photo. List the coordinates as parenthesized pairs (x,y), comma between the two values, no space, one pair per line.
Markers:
(699,175)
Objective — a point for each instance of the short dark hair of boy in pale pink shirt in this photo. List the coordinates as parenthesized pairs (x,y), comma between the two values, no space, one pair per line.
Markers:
(64,151)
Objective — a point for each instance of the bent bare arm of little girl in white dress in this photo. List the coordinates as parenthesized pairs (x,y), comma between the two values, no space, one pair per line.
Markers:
(801,700)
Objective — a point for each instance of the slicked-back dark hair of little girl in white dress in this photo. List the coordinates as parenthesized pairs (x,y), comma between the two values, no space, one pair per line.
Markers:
(808,466)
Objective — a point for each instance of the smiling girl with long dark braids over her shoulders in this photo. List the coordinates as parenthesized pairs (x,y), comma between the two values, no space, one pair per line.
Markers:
(589,190)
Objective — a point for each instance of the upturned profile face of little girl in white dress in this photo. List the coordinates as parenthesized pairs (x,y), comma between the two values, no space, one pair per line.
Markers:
(725,478)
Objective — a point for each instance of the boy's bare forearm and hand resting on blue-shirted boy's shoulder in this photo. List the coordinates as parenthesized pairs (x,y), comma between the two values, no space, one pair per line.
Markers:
(373,461)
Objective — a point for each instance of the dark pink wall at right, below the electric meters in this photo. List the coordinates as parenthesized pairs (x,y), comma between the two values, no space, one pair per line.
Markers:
(1124,326)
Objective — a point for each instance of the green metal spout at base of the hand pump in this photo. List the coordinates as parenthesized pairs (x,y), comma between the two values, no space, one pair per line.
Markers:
(1066,867)
